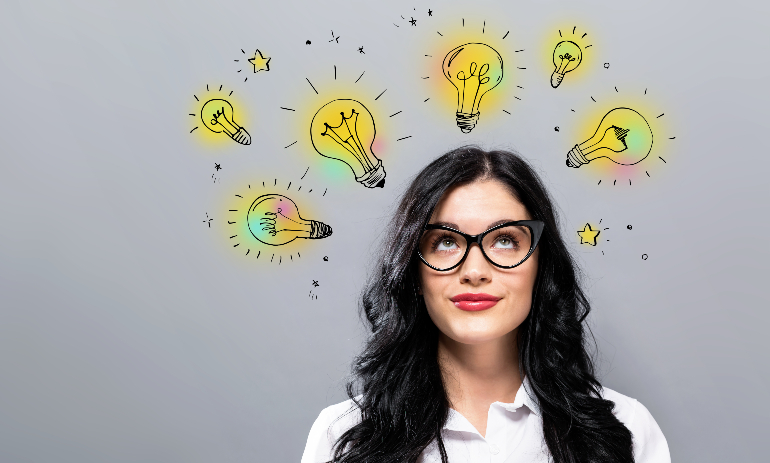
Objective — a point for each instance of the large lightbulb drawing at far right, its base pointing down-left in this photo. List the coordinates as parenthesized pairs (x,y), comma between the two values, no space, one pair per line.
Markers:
(623,136)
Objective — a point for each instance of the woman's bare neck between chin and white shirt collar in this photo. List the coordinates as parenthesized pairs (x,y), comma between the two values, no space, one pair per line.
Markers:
(476,375)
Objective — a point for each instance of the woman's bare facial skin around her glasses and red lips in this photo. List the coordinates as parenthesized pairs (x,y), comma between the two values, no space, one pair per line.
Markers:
(473,209)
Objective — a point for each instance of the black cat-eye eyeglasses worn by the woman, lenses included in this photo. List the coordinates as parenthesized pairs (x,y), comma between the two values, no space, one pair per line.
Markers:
(506,245)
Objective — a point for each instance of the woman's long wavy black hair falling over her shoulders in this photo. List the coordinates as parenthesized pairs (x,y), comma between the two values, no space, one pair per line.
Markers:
(402,399)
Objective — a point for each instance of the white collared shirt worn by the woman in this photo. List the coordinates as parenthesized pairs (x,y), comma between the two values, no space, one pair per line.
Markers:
(514,433)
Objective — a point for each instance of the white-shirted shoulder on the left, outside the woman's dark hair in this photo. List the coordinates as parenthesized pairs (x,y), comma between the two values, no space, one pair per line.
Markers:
(331,423)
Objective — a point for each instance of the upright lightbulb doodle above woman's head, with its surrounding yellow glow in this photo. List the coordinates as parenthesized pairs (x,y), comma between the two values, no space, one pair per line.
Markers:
(473,62)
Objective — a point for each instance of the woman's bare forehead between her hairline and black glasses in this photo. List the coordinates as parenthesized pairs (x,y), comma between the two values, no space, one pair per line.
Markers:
(473,207)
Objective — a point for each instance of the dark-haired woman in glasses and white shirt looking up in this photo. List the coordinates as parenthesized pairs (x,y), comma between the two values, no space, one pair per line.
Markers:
(477,349)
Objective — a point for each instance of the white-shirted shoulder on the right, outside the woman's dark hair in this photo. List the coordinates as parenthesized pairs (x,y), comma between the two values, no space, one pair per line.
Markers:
(650,445)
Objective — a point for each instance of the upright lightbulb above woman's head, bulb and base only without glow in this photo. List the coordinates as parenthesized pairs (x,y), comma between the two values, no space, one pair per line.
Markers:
(474,69)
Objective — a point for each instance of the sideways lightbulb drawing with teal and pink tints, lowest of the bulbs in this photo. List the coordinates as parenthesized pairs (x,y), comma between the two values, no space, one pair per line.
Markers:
(274,219)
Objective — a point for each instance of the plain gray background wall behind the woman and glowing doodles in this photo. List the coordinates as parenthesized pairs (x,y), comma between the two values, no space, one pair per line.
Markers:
(130,331)
